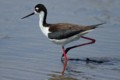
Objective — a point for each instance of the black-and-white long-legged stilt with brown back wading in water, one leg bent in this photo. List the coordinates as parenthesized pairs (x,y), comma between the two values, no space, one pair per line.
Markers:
(62,33)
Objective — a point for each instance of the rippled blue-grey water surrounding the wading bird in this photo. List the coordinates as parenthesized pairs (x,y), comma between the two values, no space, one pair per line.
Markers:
(26,54)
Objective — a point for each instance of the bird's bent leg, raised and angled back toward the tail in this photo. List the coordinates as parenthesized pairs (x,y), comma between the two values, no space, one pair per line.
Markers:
(91,42)
